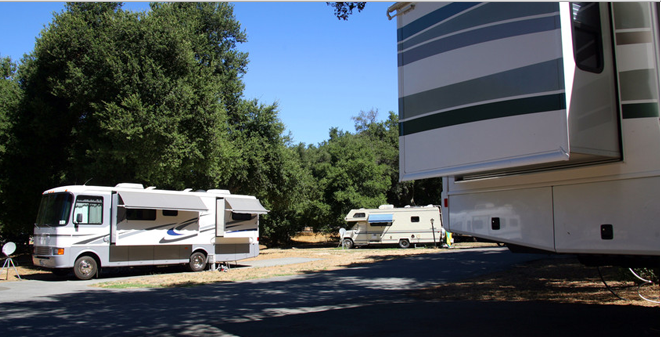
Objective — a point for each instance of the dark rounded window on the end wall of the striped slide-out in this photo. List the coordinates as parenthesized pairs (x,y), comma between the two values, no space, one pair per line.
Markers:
(588,49)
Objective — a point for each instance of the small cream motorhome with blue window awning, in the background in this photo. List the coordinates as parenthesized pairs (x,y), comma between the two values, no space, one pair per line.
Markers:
(390,225)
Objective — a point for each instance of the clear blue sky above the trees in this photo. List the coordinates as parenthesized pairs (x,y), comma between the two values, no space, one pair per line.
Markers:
(320,70)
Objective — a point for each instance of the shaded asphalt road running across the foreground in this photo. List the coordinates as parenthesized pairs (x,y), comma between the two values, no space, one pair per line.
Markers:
(368,300)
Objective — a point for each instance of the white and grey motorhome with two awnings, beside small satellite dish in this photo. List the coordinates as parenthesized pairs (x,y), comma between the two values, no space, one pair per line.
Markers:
(90,227)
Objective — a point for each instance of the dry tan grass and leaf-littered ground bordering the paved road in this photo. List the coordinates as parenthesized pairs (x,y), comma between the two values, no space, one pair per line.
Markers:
(555,280)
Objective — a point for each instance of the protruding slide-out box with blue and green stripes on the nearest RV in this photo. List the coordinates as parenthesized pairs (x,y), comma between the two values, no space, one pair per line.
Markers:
(488,87)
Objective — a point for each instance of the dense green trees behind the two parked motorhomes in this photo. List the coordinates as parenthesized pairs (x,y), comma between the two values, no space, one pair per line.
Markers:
(156,97)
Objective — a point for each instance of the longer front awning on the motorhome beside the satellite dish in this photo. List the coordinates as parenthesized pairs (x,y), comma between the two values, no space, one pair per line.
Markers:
(138,200)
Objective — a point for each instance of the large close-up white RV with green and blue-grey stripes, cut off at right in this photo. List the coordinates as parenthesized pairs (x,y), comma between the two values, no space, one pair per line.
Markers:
(542,118)
